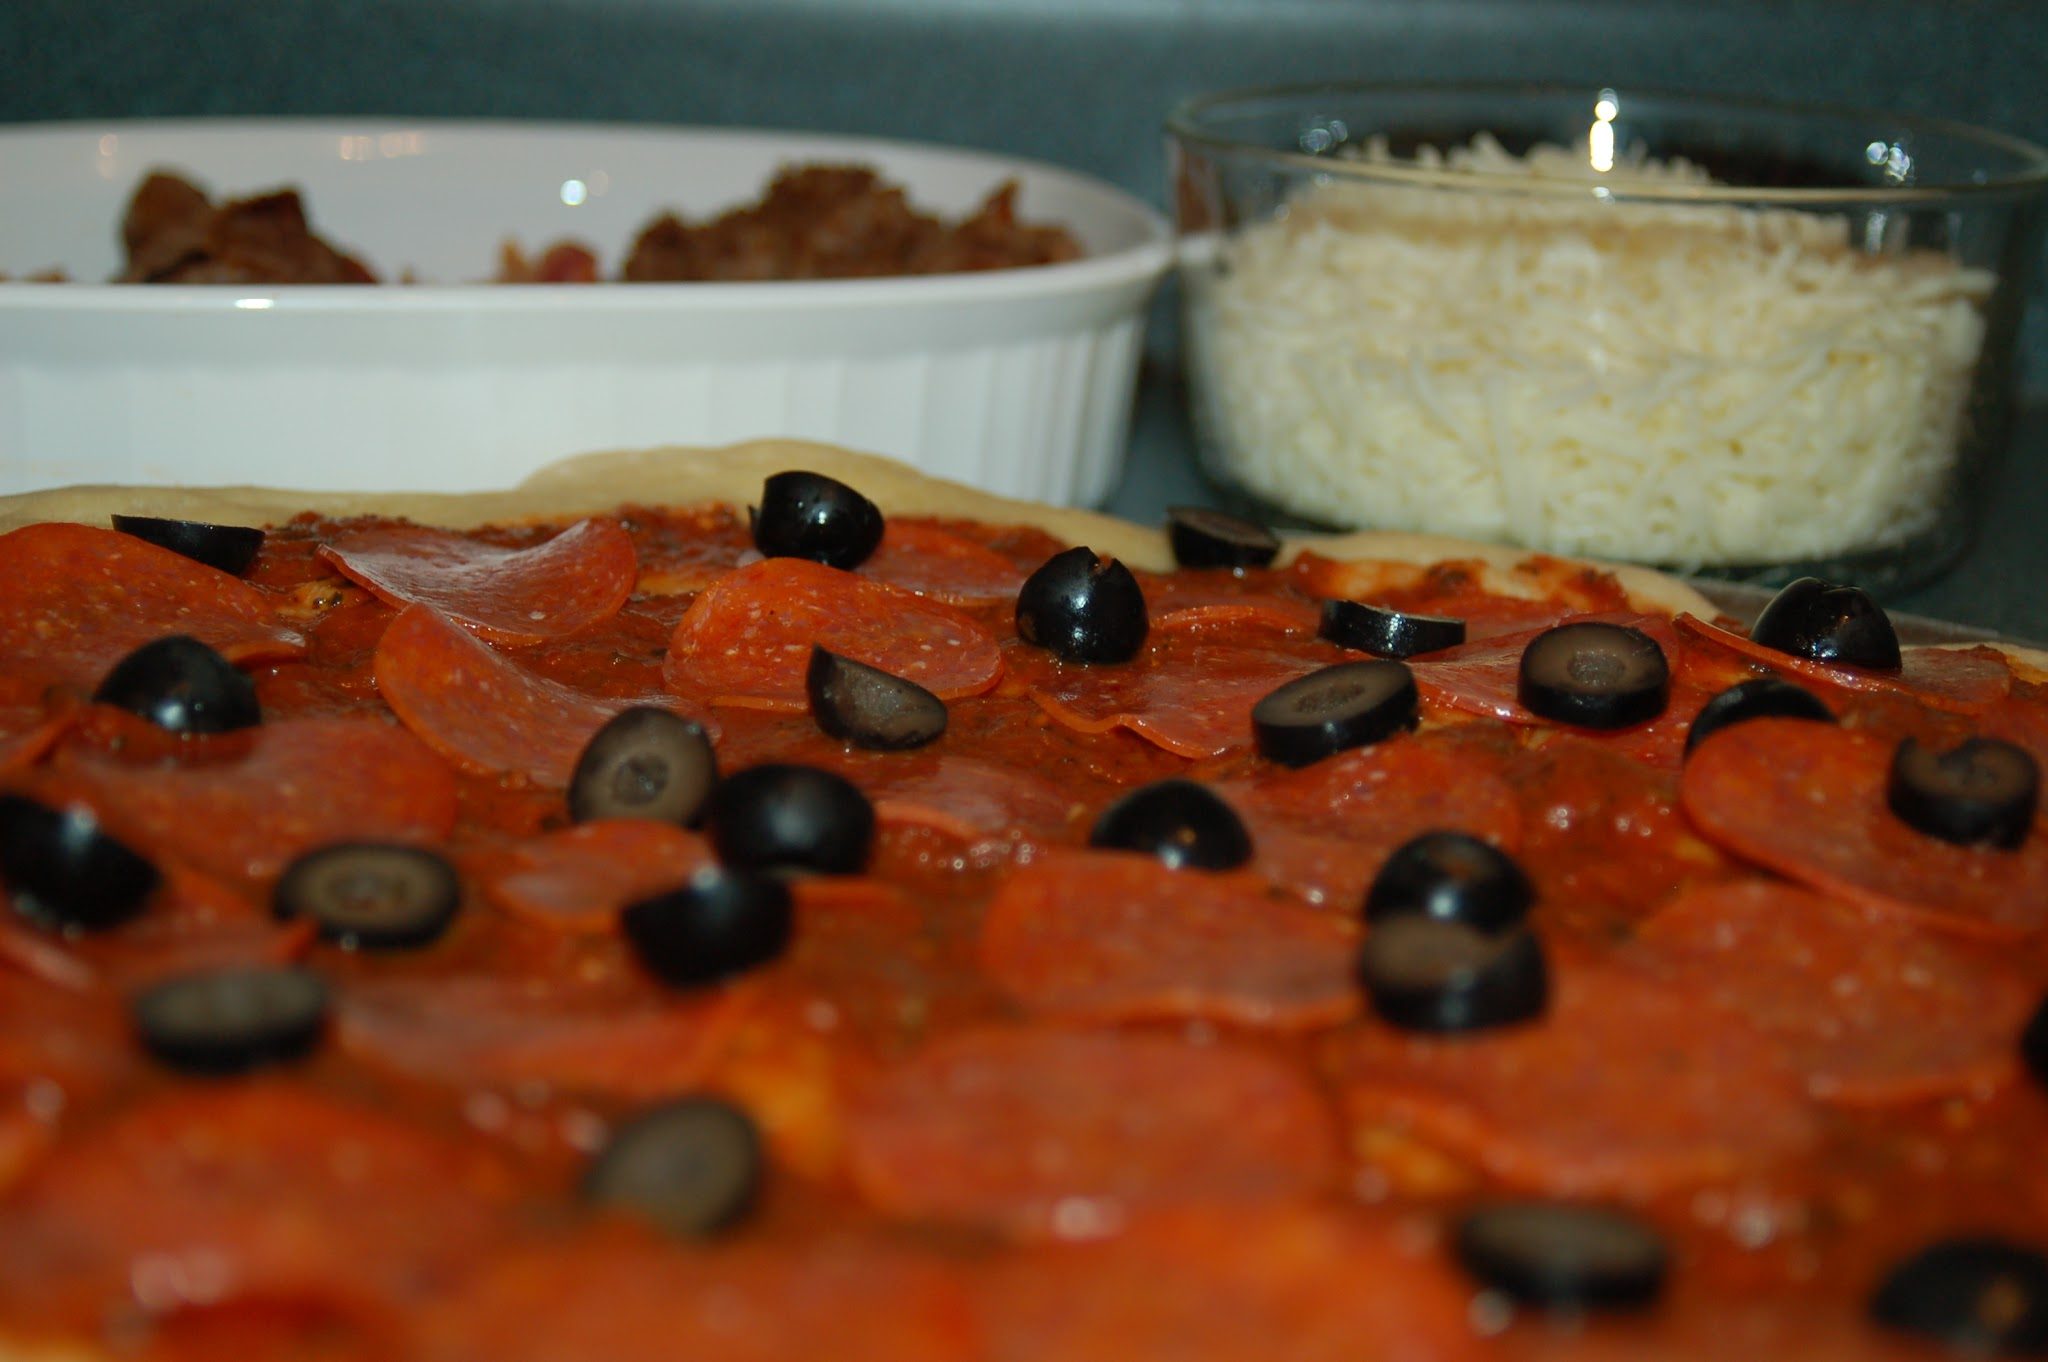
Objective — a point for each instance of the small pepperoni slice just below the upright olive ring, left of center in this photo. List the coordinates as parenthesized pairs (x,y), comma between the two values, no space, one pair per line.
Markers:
(577,880)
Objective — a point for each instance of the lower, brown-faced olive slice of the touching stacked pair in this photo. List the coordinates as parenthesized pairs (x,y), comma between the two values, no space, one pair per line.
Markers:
(1426,974)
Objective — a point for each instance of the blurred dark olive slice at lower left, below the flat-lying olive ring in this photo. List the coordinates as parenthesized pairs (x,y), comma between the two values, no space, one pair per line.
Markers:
(232,1021)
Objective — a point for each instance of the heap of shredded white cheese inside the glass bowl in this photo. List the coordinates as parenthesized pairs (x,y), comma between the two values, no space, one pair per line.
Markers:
(1664,382)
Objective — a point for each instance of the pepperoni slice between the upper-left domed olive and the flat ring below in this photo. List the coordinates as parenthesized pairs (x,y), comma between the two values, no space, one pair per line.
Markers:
(300,785)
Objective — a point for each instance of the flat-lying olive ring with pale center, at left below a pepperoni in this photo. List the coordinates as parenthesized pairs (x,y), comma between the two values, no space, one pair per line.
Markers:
(376,896)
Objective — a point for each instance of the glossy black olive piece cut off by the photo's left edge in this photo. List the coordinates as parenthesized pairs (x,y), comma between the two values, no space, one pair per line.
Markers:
(65,871)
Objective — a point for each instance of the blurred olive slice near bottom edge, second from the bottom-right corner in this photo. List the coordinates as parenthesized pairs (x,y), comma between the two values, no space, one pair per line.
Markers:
(1564,1257)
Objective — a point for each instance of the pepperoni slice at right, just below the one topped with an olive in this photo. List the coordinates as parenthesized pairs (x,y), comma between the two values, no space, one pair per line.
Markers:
(1869,1009)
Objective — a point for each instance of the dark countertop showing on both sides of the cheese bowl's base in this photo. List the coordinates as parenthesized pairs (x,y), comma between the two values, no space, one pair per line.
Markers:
(2002,585)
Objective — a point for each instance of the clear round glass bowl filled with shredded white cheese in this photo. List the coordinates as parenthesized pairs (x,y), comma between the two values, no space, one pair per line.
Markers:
(1738,339)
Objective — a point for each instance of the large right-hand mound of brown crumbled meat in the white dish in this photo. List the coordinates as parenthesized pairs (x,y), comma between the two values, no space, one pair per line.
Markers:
(843,222)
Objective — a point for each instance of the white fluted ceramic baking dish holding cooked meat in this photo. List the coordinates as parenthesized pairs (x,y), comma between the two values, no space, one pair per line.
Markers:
(1011,380)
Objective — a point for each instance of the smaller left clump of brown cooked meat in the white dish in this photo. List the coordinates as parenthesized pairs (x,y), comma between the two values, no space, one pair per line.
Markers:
(175,237)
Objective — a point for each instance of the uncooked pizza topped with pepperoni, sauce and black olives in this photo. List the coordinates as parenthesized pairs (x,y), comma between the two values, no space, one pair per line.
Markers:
(767,904)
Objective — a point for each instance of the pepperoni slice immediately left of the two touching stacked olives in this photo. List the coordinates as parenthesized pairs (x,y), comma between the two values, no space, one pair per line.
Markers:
(1113,937)
